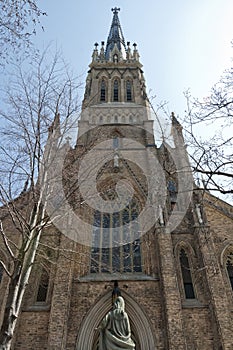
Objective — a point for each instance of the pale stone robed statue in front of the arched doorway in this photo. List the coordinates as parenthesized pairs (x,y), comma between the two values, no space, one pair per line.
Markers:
(115,331)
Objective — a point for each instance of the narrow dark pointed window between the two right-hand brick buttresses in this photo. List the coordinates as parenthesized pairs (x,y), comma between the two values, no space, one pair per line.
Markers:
(186,276)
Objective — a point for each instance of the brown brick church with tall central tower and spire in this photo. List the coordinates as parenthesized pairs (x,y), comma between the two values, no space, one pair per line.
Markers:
(165,246)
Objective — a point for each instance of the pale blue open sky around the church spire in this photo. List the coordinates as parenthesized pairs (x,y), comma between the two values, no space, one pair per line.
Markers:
(182,44)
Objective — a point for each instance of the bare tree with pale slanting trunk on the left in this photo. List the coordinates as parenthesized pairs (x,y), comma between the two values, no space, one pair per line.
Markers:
(36,95)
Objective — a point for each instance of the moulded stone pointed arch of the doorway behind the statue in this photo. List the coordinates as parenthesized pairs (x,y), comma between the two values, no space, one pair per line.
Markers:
(140,325)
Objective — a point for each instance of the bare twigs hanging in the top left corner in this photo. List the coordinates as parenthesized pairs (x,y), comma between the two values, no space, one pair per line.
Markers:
(18,22)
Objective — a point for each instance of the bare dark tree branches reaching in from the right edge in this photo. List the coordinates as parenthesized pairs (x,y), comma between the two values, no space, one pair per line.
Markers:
(208,132)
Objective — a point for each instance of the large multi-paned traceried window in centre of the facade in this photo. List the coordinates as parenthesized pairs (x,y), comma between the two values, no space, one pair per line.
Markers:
(114,249)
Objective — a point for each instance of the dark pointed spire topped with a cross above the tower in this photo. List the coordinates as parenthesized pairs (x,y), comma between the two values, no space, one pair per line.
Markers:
(115,36)
